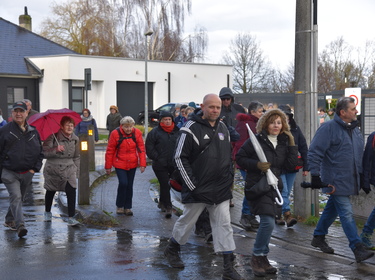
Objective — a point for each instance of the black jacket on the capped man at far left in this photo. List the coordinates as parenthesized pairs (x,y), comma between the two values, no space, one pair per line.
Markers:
(20,150)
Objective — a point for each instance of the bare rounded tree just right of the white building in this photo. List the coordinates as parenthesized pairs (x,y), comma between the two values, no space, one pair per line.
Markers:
(251,68)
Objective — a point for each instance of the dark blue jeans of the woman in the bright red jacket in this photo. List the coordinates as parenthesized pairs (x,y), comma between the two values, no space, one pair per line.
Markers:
(125,187)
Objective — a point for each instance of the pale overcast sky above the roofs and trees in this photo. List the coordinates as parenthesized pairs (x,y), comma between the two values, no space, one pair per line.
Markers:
(271,21)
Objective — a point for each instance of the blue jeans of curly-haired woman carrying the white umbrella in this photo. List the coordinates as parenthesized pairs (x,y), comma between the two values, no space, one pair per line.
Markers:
(266,226)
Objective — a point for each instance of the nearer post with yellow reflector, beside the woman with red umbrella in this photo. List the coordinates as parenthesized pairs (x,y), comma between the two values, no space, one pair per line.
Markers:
(84,181)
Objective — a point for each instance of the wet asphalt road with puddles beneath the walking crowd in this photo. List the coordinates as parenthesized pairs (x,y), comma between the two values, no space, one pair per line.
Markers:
(134,249)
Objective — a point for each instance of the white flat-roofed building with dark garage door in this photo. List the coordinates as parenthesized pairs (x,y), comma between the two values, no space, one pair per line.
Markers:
(121,82)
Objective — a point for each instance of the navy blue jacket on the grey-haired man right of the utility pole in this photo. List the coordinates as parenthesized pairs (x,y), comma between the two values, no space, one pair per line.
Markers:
(335,154)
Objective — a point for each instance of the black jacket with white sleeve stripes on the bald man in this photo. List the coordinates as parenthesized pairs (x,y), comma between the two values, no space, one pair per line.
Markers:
(207,173)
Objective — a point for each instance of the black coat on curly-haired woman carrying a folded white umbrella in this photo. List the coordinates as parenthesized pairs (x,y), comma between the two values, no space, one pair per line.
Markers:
(283,157)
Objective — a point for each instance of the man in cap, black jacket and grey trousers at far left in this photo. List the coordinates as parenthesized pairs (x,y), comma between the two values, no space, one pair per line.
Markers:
(21,156)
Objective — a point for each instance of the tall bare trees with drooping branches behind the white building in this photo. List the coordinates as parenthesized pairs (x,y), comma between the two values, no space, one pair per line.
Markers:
(117,27)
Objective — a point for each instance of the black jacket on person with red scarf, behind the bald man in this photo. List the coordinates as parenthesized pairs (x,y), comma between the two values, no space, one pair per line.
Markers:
(160,146)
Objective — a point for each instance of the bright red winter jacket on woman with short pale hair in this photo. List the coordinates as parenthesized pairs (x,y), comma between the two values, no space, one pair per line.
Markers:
(127,157)
